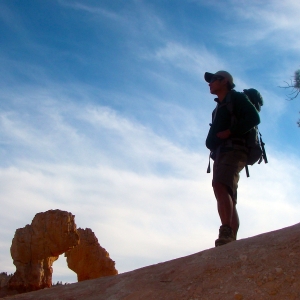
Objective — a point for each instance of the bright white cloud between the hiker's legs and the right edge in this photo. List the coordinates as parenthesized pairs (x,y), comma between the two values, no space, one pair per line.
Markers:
(268,200)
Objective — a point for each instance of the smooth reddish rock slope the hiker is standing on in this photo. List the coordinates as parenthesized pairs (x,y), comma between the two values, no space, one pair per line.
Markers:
(262,267)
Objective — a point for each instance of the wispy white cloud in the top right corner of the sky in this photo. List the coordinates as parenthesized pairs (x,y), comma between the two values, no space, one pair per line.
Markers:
(269,21)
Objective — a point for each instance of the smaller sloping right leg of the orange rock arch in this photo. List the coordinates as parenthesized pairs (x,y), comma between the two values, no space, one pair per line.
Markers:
(89,260)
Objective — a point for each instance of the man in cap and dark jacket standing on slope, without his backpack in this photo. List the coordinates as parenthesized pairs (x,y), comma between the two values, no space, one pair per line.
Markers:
(226,141)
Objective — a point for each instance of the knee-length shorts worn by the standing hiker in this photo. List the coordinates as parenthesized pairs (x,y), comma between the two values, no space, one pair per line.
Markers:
(226,169)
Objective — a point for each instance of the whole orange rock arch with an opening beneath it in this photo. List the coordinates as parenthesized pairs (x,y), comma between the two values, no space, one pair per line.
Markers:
(37,246)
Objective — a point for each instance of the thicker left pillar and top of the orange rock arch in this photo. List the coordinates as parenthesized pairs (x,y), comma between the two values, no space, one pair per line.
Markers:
(35,247)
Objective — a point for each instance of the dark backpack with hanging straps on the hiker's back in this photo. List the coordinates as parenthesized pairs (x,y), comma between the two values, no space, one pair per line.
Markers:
(253,138)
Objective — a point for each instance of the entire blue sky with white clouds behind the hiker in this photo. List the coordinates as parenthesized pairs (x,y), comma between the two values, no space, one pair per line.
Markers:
(104,113)
